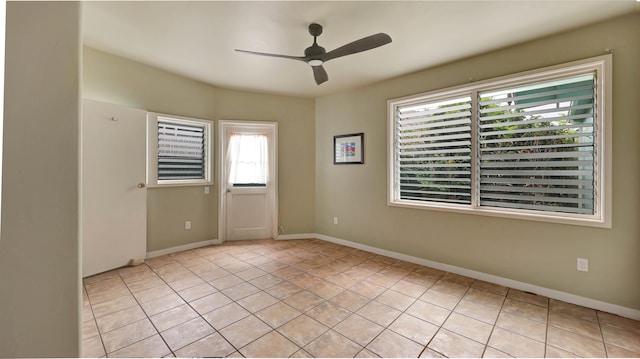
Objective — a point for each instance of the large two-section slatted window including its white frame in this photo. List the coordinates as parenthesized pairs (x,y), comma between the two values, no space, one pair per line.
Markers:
(531,145)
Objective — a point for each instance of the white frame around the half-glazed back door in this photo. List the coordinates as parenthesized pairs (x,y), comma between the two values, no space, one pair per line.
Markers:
(222,172)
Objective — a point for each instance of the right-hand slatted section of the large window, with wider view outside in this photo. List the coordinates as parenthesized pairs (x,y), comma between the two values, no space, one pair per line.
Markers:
(537,146)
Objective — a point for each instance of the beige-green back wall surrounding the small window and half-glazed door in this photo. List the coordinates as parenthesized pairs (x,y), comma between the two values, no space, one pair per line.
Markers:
(117,80)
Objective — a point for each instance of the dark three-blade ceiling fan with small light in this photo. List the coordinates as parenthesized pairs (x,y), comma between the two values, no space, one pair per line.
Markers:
(315,55)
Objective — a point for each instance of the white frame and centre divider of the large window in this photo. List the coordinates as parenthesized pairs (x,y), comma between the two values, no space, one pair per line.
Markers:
(601,66)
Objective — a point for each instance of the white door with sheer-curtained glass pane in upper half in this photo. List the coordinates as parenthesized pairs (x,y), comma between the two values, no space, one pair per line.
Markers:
(248,180)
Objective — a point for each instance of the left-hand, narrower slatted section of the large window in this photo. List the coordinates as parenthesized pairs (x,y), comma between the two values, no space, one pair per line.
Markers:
(433,154)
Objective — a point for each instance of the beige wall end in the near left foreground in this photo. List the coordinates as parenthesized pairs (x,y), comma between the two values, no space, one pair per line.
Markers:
(39,242)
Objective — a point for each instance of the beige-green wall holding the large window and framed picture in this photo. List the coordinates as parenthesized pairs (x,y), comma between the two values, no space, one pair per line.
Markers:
(542,254)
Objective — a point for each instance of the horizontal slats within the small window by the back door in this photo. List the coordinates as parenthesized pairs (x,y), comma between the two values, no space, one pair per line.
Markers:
(181,150)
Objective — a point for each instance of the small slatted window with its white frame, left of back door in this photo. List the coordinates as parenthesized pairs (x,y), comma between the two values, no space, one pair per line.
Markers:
(179,151)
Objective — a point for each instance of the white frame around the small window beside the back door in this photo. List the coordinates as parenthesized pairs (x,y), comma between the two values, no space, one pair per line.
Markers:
(152,150)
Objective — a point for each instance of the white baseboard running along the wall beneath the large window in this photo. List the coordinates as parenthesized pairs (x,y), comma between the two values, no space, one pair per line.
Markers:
(526,287)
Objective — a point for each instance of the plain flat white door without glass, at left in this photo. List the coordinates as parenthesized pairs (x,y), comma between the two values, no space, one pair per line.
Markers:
(114,197)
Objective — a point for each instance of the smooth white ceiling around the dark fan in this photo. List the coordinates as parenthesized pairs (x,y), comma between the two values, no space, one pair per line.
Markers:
(197,38)
